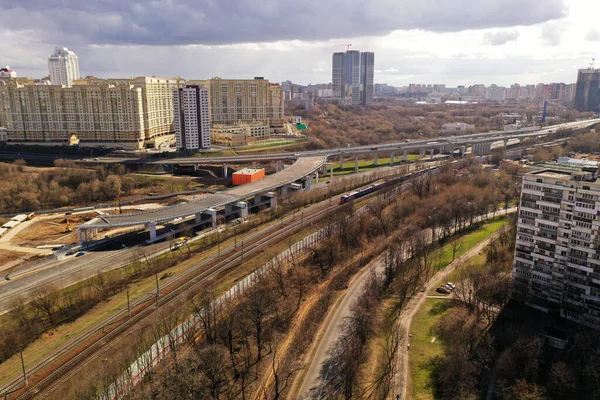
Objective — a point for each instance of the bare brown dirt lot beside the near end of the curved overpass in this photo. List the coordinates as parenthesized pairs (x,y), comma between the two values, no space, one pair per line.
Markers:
(51,231)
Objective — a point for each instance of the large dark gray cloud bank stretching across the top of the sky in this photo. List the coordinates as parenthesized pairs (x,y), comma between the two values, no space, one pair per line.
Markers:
(212,22)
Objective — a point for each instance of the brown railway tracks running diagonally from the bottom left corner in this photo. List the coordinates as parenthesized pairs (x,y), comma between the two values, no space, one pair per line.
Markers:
(176,288)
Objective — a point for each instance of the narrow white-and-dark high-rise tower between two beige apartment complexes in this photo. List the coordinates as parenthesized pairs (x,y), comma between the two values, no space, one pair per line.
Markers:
(191,117)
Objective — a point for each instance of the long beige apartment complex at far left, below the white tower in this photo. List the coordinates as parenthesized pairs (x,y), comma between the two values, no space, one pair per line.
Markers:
(129,113)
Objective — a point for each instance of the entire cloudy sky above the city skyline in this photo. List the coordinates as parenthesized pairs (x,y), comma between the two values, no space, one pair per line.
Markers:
(415,41)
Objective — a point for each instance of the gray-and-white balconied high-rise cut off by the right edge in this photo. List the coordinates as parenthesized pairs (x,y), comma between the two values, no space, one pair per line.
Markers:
(557,256)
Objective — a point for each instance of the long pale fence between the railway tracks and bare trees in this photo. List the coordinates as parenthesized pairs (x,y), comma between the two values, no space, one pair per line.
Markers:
(136,371)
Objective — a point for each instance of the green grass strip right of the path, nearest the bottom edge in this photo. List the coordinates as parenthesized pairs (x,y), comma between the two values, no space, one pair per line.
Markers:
(423,353)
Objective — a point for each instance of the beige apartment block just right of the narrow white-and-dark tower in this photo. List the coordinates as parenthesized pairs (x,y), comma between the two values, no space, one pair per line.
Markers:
(243,100)
